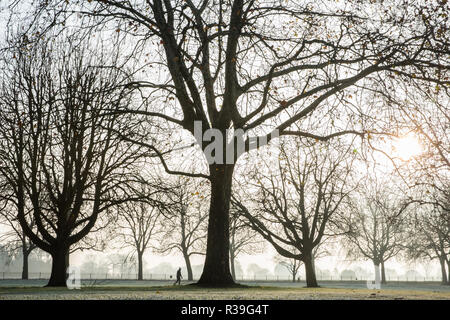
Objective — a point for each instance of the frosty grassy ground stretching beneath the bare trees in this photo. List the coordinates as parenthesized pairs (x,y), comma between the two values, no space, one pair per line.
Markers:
(188,292)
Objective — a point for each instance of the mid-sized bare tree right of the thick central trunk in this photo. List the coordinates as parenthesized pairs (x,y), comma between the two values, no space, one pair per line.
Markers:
(296,206)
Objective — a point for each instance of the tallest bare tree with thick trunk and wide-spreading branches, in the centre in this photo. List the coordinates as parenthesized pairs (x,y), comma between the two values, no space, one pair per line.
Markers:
(259,66)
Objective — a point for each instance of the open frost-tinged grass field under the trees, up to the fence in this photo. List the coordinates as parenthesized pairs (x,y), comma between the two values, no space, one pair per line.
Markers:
(162,290)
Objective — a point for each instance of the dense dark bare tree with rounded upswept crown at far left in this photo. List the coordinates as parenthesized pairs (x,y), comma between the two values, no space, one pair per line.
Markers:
(57,150)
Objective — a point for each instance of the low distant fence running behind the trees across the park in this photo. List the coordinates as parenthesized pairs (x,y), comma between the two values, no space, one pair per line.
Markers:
(162,277)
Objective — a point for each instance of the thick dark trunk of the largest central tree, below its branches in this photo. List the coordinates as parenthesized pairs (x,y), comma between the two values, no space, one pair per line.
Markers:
(216,271)
